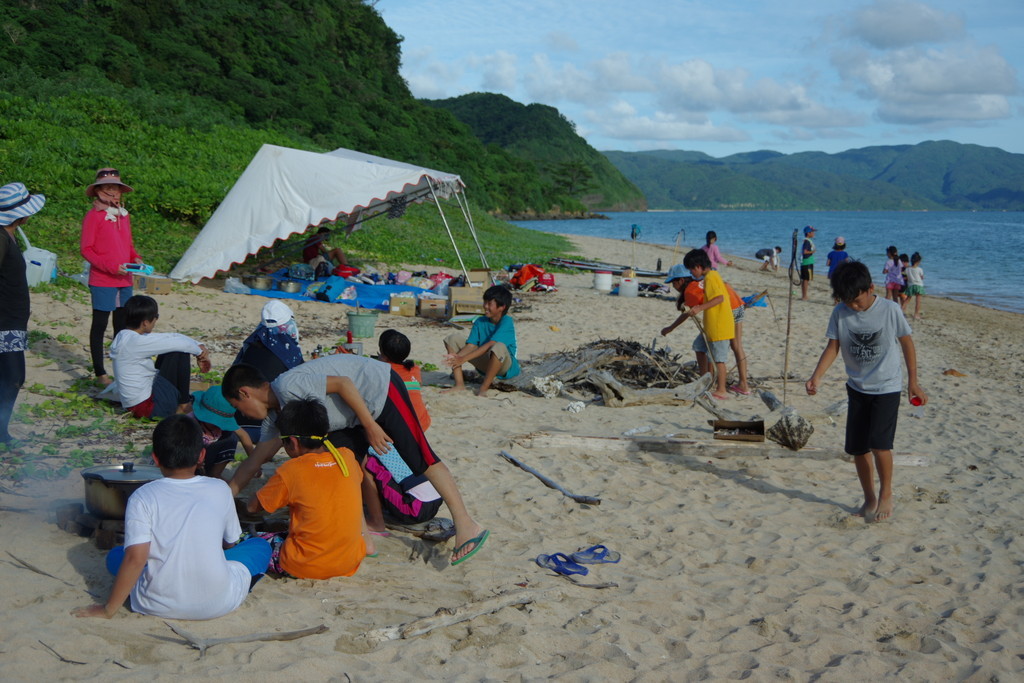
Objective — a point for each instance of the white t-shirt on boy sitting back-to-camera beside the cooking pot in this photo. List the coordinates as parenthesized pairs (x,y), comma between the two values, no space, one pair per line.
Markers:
(186,523)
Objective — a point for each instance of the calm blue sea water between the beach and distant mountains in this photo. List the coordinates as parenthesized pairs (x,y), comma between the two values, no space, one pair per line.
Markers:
(974,258)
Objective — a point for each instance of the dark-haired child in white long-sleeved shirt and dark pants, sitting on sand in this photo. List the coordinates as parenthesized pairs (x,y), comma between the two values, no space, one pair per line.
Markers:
(153,390)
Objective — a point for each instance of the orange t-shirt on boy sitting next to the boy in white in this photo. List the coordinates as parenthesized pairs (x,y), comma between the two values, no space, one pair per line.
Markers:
(325,538)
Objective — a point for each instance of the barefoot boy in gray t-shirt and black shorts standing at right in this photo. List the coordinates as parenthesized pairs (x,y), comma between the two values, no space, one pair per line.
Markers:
(869,330)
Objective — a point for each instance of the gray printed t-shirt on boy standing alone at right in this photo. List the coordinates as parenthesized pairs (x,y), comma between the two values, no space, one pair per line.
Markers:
(870,343)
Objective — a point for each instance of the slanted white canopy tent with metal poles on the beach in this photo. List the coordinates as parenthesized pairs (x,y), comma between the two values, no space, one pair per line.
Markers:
(285,191)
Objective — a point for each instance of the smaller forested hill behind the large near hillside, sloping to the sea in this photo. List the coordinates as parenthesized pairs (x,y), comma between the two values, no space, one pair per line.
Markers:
(541,135)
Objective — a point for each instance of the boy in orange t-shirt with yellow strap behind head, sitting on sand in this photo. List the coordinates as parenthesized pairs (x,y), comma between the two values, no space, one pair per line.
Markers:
(321,487)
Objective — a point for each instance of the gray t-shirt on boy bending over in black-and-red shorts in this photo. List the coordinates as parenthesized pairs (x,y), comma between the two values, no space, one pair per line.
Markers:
(372,379)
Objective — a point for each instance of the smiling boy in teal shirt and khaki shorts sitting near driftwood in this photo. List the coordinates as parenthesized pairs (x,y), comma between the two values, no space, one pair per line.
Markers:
(491,346)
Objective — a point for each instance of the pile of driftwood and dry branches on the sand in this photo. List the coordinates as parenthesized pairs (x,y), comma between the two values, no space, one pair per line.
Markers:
(624,373)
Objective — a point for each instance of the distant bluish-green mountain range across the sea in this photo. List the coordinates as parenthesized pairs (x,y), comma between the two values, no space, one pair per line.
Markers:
(933,176)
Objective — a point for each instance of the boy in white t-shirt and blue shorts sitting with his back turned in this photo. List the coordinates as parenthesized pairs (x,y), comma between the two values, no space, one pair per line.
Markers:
(180,560)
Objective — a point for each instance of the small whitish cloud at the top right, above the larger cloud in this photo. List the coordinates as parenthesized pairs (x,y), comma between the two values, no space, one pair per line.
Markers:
(892,24)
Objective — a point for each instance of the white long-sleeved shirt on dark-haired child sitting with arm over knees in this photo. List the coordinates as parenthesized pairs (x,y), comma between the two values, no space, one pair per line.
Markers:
(133,355)
